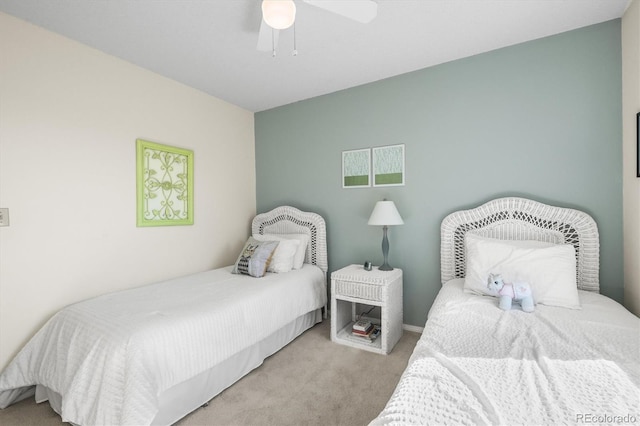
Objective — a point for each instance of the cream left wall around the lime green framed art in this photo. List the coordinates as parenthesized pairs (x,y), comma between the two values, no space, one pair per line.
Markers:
(69,119)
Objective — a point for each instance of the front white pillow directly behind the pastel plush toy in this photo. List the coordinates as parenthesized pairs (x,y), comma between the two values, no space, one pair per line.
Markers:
(549,269)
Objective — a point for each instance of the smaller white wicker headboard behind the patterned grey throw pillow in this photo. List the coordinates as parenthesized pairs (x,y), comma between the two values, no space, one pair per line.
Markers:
(289,220)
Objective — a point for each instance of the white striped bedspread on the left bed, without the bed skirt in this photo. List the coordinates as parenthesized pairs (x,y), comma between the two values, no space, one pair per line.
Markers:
(111,356)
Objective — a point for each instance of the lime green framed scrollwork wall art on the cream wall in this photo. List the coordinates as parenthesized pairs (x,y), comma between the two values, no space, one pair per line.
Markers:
(164,185)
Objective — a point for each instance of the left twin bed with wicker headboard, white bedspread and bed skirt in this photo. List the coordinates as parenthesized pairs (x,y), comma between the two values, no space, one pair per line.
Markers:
(153,354)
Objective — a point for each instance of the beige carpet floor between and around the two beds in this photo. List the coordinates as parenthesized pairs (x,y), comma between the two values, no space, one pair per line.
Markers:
(312,381)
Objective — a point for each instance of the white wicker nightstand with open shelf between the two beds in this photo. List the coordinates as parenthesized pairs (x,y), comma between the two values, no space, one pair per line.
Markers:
(353,285)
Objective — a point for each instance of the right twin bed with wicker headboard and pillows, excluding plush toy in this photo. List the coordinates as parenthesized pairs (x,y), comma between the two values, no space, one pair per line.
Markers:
(562,364)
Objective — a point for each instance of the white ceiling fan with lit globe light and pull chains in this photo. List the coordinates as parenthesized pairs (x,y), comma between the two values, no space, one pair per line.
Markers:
(280,14)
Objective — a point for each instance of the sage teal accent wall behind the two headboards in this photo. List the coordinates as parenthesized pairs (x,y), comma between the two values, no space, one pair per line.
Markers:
(540,120)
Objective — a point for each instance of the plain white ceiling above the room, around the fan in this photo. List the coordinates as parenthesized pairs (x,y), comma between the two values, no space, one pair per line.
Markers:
(211,44)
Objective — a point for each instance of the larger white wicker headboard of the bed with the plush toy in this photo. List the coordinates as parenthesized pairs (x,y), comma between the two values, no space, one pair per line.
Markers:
(522,219)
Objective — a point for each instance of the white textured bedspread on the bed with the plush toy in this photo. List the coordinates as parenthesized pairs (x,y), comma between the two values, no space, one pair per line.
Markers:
(476,364)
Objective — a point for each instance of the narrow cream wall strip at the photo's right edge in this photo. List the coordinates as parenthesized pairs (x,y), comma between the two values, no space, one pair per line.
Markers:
(631,183)
